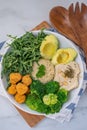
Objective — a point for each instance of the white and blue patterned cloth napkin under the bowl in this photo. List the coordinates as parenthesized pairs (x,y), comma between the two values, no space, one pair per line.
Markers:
(66,113)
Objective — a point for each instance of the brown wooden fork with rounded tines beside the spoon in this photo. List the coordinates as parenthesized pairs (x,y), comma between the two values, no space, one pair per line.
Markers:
(78,19)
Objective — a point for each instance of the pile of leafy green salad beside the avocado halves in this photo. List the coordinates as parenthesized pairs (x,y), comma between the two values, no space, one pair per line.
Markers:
(23,52)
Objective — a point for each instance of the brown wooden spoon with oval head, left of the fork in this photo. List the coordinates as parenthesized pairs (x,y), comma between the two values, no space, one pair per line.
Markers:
(59,17)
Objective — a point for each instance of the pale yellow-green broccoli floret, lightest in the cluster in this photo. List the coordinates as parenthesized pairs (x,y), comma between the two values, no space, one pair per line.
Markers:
(50,99)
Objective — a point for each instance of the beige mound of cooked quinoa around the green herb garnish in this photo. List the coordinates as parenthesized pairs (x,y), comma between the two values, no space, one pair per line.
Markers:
(49,72)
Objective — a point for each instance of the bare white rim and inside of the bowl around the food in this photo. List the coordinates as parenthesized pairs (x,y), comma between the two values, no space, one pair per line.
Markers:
(64,43)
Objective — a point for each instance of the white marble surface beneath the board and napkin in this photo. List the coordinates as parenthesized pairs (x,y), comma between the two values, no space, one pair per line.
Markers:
(16,17)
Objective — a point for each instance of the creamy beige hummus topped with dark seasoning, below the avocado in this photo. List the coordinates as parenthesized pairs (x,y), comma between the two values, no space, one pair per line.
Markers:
(67,75)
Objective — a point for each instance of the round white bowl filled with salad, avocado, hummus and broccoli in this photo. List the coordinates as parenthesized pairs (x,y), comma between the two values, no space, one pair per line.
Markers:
(41,71)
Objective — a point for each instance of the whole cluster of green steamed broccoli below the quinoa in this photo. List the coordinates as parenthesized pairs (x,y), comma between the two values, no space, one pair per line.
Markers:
(46,98)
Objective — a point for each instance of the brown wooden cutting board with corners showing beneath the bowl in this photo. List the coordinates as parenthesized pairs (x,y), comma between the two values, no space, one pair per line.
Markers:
(31,119)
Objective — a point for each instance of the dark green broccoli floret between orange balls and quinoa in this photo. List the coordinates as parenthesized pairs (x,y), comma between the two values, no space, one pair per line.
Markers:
(38,88)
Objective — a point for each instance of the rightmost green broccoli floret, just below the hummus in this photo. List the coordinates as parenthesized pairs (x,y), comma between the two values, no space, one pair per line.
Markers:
(62,95)
